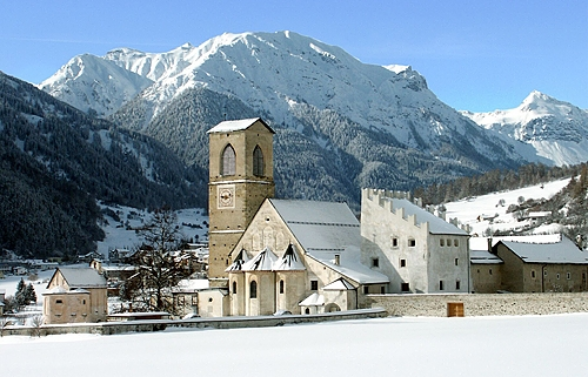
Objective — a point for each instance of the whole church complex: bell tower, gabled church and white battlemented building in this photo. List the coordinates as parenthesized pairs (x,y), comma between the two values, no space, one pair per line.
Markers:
(270,255)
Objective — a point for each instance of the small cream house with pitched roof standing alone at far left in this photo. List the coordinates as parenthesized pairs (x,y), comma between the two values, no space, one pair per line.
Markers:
(75,295)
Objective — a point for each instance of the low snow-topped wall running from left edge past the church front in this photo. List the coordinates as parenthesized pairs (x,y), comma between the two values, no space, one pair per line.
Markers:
(110,328)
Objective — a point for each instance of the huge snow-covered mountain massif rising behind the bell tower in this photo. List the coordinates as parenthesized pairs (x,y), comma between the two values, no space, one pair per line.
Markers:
(341,124)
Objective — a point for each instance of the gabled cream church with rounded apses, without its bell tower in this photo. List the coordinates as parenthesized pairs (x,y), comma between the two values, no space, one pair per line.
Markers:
(302,257)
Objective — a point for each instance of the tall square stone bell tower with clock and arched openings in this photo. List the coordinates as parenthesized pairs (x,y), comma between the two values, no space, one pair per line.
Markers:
(240,178)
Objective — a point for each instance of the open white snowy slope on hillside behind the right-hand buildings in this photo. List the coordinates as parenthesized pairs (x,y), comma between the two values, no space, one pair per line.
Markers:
(468,210)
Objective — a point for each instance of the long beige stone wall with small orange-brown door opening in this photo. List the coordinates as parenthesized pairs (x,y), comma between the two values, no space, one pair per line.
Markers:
(435,305)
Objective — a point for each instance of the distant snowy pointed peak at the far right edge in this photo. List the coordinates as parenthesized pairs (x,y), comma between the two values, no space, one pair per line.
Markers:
(557,130)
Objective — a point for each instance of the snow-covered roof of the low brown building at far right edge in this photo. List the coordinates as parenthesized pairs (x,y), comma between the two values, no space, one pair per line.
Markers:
(564,251)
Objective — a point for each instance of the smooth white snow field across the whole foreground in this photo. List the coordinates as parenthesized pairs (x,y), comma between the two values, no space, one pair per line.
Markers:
(477,346)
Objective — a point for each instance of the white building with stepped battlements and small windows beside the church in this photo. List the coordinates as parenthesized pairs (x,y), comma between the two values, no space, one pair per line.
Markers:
(418,251)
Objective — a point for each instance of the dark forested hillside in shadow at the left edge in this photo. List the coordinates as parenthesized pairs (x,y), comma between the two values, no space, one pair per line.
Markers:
(56,162)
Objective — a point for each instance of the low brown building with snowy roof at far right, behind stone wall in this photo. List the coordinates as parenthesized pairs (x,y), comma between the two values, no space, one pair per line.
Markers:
(556,266)
